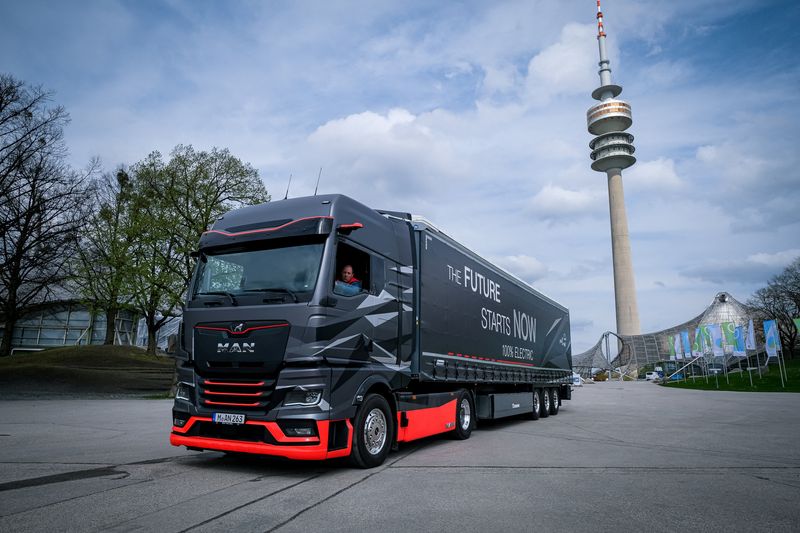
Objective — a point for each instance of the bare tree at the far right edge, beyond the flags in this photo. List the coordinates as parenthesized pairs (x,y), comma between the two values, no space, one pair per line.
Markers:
(780,300)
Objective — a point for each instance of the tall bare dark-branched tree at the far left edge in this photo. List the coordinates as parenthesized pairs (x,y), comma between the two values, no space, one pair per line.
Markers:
(43,203)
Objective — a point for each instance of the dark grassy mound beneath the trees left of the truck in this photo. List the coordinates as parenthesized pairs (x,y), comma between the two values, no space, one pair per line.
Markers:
(85,371)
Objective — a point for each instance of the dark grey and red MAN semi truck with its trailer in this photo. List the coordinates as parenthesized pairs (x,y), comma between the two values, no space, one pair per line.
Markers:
(278,355)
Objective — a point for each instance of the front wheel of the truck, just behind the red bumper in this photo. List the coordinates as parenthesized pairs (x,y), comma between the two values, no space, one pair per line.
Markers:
(373,432)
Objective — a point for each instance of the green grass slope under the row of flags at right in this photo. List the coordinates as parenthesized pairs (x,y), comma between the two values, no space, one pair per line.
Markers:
(769,382)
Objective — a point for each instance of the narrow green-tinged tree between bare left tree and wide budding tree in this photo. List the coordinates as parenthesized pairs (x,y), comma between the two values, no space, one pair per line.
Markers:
(105,255)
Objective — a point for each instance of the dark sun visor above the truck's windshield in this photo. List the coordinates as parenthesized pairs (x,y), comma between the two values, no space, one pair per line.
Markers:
(276,229)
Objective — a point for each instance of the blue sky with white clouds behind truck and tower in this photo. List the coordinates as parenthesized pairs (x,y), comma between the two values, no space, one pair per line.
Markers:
(471,113)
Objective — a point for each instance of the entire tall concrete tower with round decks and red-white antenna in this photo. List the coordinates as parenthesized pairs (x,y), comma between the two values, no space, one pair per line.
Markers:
(612,151)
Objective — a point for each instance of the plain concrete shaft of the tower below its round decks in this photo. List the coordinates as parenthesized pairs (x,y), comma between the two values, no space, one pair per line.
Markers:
(624,285)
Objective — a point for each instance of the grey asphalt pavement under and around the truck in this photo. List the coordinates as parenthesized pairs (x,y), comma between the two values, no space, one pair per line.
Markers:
(619,457)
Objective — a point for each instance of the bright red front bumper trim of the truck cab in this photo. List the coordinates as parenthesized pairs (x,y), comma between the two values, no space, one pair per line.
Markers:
(308,448)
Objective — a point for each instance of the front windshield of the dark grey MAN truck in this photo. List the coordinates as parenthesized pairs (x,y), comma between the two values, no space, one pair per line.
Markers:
(273,275)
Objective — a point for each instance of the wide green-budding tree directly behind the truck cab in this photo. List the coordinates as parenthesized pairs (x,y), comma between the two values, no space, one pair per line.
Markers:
(178,200)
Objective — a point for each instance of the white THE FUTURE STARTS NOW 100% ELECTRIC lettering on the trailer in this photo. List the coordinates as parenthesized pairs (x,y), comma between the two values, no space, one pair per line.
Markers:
(522,326)
